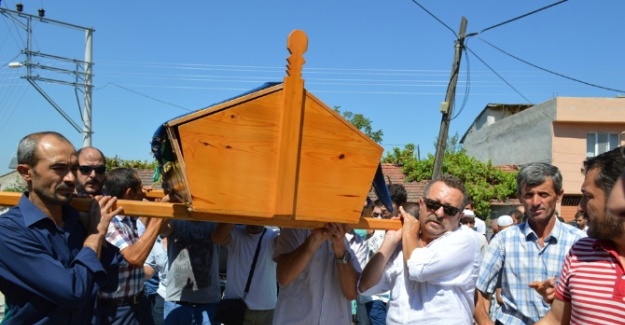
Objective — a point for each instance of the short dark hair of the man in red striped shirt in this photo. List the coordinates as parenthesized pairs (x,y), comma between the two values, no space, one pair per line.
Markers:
(611,165)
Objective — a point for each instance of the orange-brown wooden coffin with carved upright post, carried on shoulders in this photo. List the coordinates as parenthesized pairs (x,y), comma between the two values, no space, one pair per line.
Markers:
(275,153)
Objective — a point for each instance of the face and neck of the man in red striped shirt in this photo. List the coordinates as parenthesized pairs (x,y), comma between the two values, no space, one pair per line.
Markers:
(601,224)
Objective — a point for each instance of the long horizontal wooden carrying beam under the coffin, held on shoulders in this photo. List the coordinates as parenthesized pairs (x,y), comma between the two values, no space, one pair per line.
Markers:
(181,211)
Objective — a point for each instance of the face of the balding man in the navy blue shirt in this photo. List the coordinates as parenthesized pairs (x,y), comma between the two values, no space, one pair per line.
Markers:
(53,178)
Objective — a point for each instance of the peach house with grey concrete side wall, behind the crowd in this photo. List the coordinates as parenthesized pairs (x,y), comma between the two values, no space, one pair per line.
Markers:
(562,131)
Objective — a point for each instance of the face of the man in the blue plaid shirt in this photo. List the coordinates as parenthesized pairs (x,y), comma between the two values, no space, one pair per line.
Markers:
(540,201)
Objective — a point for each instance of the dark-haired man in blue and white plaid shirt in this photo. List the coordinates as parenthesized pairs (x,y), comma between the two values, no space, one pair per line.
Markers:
(533,251)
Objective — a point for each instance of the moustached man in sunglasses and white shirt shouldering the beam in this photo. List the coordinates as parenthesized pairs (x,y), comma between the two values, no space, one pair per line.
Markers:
(430,265)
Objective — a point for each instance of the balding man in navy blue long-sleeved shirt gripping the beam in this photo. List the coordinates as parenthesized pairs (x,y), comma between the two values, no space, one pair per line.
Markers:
(49,266)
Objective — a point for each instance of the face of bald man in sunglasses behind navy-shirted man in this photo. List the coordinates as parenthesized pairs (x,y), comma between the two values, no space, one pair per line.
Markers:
(89,180)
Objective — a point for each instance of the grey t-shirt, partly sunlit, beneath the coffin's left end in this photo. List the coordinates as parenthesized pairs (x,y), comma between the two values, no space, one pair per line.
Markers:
(193,274)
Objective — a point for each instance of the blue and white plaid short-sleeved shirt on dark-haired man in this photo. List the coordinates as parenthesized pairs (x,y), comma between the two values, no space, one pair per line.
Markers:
(516,253)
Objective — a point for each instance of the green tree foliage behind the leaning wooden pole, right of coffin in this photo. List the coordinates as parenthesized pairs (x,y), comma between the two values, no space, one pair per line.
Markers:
(483,181)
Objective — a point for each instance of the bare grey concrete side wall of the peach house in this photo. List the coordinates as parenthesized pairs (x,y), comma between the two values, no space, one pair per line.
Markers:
(519,139)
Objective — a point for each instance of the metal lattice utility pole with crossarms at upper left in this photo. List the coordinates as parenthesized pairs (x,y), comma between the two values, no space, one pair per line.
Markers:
(81,74)
